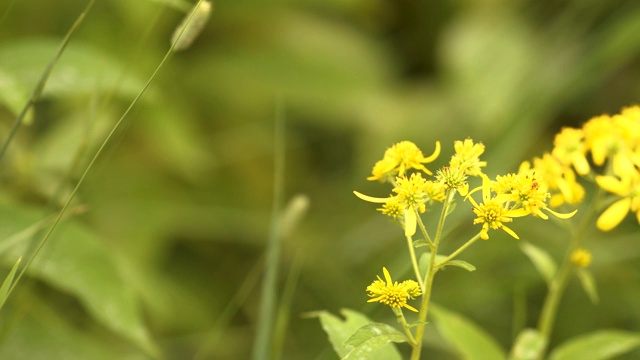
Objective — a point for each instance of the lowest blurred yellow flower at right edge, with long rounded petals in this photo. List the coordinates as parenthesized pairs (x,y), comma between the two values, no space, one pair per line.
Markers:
(628,188)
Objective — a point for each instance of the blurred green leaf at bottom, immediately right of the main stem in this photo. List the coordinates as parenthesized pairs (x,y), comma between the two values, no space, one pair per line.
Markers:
(467,338)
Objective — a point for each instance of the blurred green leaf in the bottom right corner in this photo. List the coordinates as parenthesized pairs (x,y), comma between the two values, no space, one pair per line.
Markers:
(599,345)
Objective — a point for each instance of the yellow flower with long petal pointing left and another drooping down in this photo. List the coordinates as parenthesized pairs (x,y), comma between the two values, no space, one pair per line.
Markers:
(411,197)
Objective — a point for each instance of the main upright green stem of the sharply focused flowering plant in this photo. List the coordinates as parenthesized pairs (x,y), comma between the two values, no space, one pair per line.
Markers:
(431,272)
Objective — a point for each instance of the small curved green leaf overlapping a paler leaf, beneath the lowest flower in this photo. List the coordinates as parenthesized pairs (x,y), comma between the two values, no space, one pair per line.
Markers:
(370,338)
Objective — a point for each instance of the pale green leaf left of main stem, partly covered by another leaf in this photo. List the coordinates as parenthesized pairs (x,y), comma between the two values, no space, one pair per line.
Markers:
(339,331)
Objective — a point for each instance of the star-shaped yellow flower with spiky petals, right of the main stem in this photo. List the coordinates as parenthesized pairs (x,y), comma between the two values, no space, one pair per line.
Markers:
(493,212)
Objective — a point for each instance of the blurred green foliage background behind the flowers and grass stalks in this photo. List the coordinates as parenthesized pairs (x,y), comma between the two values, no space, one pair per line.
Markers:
(164,250)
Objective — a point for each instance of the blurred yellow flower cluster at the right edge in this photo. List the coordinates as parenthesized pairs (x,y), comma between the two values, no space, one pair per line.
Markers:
(607,149)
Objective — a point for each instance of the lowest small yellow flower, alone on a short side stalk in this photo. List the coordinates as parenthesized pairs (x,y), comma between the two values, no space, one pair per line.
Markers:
(393,293)
